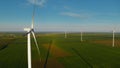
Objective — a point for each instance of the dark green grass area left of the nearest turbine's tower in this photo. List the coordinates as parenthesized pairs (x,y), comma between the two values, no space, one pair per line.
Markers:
(14,56)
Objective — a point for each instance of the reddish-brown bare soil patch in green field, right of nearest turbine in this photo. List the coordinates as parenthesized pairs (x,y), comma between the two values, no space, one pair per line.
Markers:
(52,62)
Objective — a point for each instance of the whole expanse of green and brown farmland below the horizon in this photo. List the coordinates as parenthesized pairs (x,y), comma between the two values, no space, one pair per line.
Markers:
(95,51)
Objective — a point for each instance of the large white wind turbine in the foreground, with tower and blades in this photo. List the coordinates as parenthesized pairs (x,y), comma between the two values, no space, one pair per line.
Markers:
(29,32)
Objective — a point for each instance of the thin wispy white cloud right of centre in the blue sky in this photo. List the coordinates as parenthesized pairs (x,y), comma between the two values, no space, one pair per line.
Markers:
(73,14)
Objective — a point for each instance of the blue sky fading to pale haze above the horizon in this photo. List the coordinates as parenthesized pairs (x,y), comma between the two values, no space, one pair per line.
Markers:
(61,15)
